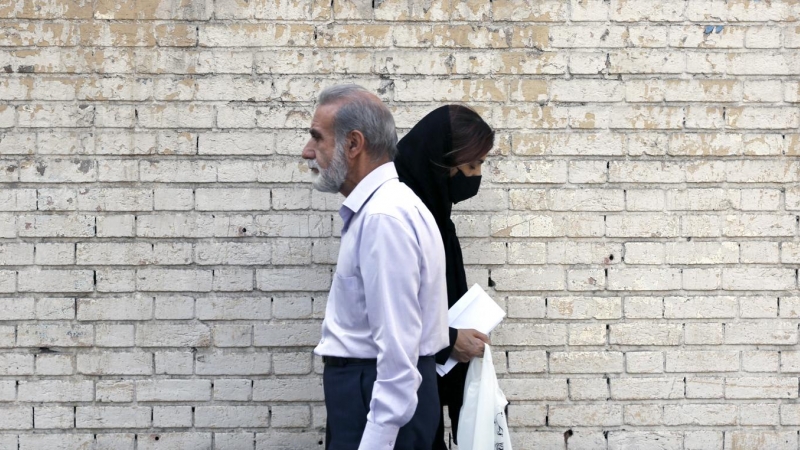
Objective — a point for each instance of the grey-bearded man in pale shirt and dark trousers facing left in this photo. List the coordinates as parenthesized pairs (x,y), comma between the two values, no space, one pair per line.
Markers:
(387,310)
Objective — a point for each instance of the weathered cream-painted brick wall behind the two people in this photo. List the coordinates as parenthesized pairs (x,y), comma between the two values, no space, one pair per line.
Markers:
(165,261)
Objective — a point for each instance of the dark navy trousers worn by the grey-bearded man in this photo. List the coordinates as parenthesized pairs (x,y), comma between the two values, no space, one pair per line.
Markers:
(348,392)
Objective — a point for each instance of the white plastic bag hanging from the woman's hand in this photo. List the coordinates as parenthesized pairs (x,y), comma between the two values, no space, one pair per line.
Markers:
(482,420)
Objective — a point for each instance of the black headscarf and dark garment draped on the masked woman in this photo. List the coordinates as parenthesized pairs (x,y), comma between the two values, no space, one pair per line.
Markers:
(420,165)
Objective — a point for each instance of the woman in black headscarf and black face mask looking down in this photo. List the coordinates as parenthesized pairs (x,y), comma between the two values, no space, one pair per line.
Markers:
(440,160)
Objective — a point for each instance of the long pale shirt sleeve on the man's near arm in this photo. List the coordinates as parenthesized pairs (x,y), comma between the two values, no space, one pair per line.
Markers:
(390,259)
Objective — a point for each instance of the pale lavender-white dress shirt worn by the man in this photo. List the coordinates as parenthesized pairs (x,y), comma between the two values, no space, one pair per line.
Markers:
(388,299)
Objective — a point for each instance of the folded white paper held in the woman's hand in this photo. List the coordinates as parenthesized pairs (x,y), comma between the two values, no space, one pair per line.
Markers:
(475,310)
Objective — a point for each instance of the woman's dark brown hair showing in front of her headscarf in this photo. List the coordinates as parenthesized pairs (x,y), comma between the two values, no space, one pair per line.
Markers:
(472,137)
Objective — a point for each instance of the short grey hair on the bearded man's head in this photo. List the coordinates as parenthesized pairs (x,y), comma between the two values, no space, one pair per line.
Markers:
(359,112)
